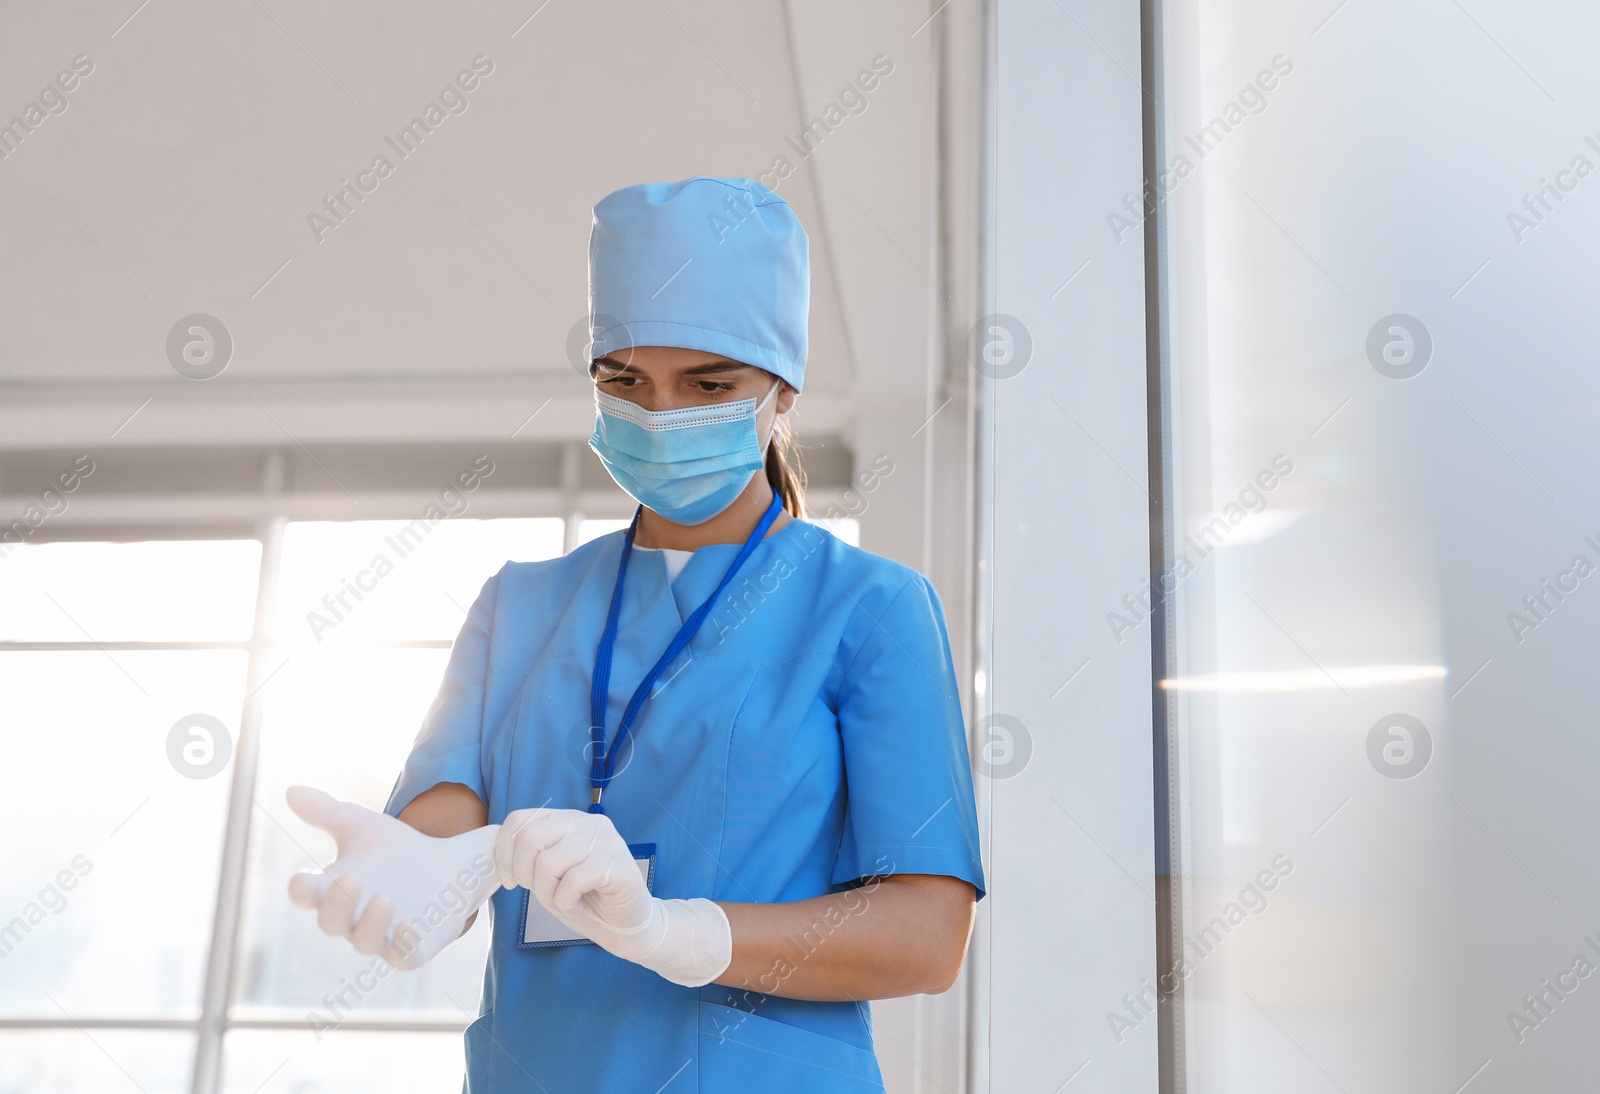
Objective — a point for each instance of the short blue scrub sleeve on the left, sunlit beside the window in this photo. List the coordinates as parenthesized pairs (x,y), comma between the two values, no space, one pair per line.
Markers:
(449,748)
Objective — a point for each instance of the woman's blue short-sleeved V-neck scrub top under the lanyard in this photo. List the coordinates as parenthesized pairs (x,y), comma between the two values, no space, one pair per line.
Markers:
(810,738)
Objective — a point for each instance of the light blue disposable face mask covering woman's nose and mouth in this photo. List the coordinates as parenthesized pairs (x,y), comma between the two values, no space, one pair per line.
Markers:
(687,465)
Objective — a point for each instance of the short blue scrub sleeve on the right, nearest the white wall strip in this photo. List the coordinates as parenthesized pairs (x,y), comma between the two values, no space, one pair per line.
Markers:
(908,772)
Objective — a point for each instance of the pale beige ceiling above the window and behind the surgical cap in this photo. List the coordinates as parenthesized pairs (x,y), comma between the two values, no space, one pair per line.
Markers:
(182,175)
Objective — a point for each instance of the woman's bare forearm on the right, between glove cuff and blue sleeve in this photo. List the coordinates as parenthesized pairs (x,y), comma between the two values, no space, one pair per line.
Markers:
(898,935)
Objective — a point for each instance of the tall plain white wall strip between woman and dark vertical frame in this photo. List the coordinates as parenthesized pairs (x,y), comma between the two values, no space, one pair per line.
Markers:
(1071,927)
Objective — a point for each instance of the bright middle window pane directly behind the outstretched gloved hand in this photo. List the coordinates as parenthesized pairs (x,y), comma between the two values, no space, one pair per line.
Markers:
(342,721)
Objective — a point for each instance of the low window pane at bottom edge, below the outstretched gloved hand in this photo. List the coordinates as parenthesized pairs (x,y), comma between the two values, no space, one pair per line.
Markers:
(342,1063)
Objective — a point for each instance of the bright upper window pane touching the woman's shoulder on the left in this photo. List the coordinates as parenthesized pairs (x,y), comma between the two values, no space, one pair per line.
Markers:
(393,580)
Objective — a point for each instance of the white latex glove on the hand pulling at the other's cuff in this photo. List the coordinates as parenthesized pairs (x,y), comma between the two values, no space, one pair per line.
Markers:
(582,871)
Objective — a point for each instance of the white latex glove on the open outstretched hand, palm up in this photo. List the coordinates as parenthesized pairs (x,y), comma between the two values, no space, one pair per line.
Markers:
(393,892)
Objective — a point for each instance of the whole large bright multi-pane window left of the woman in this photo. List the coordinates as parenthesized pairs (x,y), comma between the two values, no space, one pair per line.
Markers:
(130,669)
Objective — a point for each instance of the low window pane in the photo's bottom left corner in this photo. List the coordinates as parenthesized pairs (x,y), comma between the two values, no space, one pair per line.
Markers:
(95,1061)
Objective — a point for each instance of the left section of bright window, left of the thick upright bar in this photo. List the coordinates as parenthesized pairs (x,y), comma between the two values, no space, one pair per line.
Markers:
(110,647)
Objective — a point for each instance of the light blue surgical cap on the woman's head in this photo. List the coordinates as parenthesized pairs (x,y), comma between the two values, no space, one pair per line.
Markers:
(710,265)
